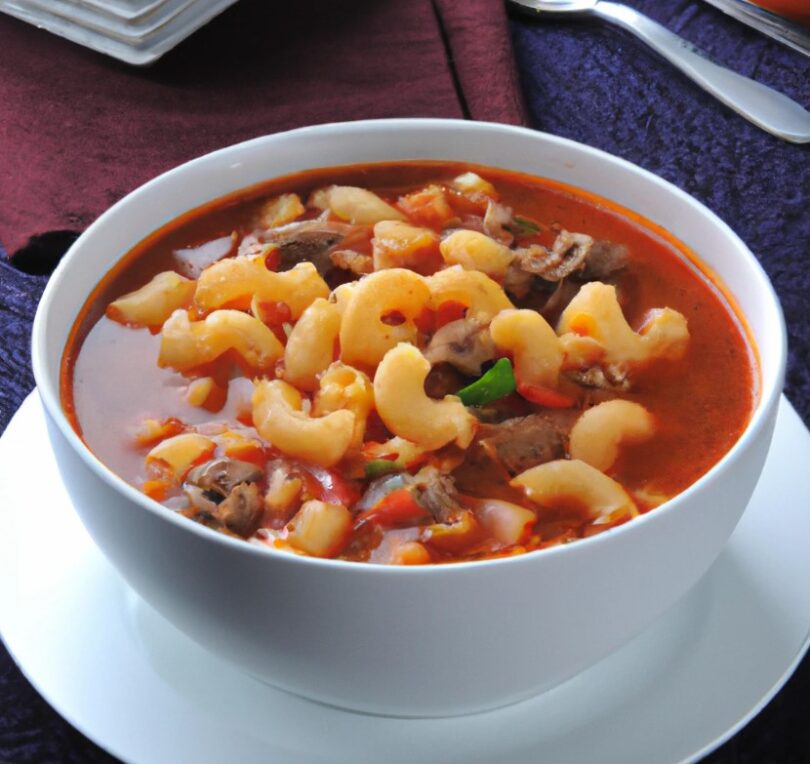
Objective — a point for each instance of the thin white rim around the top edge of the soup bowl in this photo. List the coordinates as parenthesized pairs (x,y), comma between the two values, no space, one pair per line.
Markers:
(770,386)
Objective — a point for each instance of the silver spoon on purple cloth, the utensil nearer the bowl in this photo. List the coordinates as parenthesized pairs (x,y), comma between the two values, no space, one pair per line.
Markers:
(766,108)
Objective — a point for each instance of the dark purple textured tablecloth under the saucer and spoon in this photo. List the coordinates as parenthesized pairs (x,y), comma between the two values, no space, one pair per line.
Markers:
(599,86)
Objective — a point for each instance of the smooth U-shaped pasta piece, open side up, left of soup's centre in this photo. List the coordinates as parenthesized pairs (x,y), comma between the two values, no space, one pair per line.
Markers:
(279,419)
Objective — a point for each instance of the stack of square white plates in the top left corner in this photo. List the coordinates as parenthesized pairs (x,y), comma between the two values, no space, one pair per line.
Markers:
(136,31)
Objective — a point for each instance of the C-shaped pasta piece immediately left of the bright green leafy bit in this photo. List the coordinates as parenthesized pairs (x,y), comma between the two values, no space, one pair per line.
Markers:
(399,393)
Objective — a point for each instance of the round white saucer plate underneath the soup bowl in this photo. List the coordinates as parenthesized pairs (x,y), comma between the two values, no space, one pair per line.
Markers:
(142,690)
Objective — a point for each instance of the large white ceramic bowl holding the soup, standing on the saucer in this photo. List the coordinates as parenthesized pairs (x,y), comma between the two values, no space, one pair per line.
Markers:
(415,641)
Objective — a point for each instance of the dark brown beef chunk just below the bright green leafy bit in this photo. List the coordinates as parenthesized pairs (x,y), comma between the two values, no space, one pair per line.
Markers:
(517,444)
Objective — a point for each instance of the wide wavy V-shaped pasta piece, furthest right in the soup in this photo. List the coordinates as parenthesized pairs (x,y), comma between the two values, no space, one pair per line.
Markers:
(595,312)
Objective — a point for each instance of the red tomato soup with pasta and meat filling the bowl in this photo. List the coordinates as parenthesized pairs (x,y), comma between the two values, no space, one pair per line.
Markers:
(404,497)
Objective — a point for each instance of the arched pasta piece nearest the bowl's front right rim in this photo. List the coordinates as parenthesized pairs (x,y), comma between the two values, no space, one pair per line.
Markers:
(574,481)
